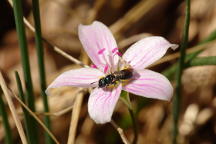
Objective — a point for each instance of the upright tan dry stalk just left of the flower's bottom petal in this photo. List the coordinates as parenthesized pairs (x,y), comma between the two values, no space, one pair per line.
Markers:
(75,117)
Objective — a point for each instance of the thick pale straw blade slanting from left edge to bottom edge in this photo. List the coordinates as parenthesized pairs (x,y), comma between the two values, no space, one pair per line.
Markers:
(13,110)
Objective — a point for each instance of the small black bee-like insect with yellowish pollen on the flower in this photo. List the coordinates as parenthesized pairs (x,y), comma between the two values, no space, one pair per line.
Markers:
(113,78)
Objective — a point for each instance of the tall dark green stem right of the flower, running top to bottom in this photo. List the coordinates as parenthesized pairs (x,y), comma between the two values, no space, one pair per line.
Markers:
(177,98)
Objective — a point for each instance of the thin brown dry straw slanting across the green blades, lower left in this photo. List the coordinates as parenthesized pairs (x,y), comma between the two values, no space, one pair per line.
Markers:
(36,118)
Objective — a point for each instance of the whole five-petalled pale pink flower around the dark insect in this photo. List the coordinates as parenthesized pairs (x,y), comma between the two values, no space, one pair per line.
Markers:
(102,49)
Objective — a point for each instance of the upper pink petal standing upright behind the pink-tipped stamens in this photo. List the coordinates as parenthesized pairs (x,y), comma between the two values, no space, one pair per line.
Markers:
(99,43)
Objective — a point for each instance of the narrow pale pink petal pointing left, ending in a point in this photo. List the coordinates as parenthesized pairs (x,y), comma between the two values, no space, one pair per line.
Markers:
(84,77)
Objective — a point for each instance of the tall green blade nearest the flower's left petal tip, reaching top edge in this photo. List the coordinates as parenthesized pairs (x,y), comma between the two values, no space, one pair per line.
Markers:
(40,55)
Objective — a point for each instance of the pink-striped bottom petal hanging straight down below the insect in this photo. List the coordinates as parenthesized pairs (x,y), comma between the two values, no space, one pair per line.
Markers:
(102,102)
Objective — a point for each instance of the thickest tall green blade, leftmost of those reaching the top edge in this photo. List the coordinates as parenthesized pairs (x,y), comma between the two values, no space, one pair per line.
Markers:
(26,67)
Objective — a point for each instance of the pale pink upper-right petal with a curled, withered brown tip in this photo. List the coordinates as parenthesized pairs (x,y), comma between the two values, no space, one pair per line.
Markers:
(147,51)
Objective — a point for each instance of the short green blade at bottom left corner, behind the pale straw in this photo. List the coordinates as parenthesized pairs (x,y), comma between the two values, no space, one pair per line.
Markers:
(5,122)
